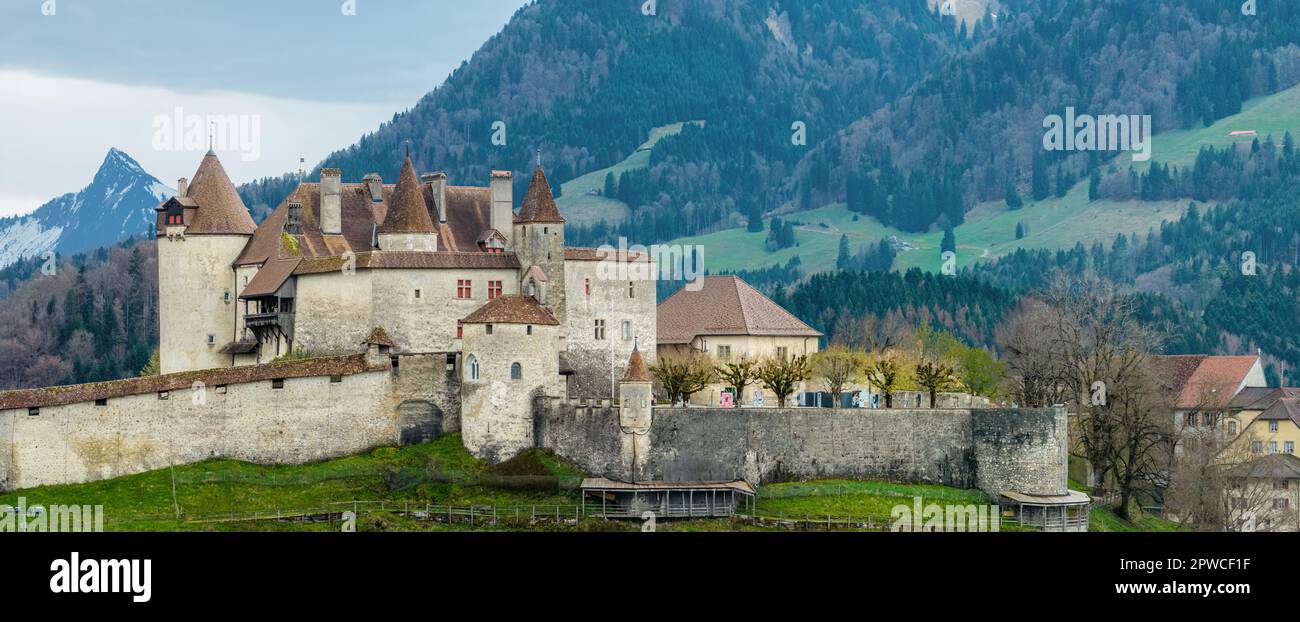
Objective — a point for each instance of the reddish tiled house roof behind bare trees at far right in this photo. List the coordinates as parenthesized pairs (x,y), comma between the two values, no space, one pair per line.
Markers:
(1203,382)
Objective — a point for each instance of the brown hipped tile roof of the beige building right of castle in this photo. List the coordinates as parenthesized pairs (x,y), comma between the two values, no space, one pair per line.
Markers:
(725,305)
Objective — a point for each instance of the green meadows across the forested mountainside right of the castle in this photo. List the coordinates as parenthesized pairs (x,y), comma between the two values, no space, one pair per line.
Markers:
(990,228)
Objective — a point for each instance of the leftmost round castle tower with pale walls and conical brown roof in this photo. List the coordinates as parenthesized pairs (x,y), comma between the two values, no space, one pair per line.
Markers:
(201,234)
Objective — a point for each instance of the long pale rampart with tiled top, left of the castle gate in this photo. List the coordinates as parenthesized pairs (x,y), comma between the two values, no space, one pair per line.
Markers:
(309,420)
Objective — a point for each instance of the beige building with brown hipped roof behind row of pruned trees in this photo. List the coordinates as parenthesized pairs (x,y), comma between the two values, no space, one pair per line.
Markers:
(727,319)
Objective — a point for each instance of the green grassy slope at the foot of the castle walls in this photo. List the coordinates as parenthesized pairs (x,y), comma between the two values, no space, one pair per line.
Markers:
(222,495)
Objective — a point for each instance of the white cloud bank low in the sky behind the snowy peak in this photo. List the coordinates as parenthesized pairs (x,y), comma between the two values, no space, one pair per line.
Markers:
(57,131)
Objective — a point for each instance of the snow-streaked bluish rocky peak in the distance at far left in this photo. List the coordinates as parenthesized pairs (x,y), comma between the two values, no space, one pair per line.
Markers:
(119,204)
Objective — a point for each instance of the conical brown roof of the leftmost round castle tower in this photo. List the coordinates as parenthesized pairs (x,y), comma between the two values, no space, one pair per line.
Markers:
(216,206)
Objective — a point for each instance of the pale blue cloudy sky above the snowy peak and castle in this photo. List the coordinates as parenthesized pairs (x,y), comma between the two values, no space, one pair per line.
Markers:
(268,83)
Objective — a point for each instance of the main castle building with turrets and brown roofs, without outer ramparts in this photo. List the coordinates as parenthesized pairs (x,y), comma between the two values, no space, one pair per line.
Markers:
(417,269)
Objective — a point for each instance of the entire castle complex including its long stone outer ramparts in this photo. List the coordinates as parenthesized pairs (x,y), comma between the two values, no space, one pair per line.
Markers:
(362,316)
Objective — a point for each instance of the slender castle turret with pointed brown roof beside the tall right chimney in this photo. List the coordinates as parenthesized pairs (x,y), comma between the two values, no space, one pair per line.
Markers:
(539,241)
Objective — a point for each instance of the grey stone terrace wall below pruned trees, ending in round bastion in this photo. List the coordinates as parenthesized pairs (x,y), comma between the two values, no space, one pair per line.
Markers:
(994,451)
